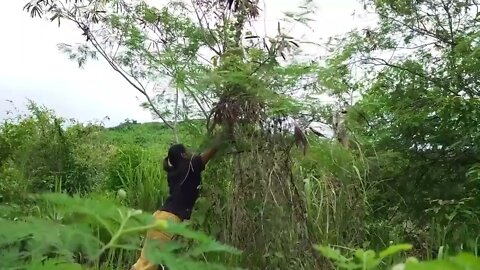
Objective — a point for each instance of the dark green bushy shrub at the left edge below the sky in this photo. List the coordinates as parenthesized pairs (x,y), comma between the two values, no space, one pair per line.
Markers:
(39,147)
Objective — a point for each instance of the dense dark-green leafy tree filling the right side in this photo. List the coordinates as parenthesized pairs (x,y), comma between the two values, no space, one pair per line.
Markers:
(419,108)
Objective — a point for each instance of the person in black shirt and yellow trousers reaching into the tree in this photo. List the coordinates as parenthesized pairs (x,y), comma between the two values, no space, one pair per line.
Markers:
(184,178)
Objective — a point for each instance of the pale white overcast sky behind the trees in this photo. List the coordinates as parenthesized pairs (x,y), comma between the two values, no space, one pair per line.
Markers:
(32,67)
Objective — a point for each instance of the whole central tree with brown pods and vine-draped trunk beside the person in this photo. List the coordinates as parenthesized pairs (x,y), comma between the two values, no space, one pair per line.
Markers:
(234,80)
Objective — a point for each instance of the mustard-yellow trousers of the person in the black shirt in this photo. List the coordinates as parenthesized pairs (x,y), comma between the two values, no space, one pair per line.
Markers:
(161,237)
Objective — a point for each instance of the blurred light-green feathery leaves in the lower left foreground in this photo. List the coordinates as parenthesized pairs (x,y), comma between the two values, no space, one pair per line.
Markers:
(94,232)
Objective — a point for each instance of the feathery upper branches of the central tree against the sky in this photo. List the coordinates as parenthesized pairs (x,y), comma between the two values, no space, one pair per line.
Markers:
(176,55)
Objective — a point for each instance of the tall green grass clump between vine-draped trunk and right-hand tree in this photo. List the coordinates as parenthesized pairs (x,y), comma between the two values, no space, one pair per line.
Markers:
(335,194)
